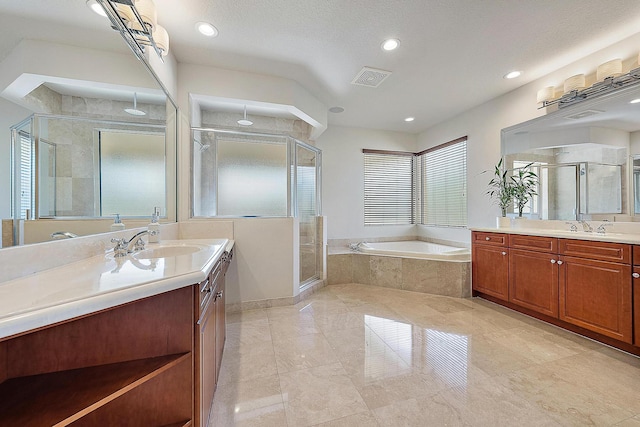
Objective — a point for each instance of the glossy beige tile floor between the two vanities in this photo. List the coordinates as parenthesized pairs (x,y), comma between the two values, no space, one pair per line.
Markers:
(355,355)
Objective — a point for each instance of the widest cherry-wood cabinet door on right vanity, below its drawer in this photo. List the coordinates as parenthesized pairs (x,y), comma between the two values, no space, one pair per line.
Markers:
(596,295)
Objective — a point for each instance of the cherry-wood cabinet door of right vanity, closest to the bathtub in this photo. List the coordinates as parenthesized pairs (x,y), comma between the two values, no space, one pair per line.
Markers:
(490,270)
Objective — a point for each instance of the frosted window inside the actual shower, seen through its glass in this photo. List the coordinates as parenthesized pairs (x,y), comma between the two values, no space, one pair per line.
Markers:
(252,178)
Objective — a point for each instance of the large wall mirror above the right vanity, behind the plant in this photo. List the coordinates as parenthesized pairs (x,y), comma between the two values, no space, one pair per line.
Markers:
(584,157)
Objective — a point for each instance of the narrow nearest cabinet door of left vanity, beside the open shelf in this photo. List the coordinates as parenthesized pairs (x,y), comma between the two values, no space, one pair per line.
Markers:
(207,361)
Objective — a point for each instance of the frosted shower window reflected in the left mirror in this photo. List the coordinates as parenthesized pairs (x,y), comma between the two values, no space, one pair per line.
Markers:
(132,173)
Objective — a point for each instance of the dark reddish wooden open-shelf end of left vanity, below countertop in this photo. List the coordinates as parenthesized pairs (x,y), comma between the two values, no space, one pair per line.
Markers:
(130,365)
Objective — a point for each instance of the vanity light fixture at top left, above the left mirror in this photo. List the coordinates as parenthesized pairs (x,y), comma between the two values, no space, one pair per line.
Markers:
(137,21)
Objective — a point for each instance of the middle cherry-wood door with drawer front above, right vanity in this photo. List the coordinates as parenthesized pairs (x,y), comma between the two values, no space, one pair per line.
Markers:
(533,273)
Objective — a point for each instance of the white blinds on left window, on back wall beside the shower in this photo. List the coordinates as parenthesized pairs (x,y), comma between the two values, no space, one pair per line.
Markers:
(388,184)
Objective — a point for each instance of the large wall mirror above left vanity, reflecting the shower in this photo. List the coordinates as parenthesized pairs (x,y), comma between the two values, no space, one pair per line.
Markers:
(64,86)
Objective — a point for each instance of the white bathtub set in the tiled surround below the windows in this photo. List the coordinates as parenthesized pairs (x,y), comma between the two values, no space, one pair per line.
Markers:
(416,249)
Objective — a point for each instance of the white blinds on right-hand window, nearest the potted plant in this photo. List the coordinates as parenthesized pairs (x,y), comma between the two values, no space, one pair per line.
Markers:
(444,184)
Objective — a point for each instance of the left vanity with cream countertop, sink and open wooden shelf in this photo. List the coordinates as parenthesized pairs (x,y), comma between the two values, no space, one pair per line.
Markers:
(132,340)
